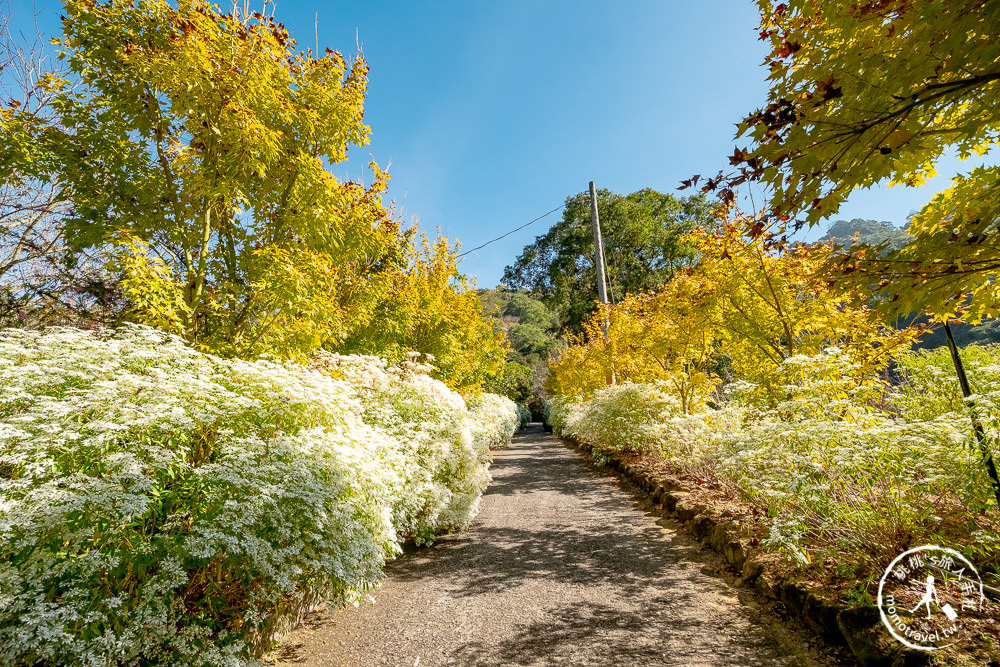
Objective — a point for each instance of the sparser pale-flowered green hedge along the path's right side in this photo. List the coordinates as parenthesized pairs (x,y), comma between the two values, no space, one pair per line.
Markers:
(840,466)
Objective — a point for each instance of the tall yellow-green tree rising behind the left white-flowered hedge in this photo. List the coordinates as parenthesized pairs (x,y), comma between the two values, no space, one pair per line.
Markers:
(198,143)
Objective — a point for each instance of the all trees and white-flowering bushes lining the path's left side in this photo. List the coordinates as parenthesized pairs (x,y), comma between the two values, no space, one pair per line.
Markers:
(231,385)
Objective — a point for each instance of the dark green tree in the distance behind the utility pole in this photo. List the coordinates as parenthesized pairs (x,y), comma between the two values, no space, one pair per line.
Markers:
(643,248)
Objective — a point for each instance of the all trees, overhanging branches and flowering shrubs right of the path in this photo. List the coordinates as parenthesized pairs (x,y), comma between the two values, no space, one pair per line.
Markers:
(807,383)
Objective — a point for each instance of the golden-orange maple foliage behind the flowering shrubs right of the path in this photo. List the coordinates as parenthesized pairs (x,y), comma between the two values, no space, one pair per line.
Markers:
(741,311)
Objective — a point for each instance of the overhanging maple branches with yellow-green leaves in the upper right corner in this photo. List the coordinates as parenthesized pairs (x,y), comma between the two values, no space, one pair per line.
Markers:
(864,93)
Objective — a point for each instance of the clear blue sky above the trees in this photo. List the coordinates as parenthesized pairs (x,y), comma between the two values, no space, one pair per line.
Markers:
(493,113)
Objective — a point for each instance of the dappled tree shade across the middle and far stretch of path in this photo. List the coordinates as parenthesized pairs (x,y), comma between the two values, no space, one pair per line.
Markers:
(577,545)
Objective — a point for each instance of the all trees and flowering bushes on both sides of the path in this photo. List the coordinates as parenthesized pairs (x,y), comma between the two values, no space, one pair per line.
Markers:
(232,384)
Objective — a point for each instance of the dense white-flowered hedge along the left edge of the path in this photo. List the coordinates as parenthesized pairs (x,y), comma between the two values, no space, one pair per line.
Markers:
(158,505)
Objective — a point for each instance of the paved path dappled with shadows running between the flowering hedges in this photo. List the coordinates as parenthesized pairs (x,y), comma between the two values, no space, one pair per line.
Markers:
(562,566)
